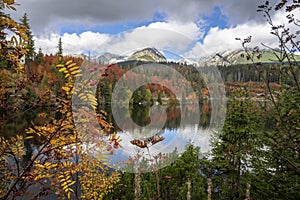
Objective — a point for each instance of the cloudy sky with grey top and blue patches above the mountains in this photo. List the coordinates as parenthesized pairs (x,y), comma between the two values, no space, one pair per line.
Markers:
(188,28)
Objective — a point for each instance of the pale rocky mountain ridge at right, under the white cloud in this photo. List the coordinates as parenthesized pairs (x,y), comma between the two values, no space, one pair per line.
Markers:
(235,57)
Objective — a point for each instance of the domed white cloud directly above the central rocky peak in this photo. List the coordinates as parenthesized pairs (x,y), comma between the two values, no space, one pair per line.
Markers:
(173,36)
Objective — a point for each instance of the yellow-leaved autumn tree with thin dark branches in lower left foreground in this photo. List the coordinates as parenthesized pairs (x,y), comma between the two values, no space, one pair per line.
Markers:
(62,165)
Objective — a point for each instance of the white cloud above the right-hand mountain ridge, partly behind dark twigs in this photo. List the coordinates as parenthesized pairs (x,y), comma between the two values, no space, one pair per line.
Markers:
(218,40)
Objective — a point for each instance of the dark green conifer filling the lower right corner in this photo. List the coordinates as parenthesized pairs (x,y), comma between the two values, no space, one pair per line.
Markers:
(276,165)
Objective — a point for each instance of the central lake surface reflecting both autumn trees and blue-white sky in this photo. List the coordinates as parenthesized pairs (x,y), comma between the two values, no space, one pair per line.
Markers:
(176,135)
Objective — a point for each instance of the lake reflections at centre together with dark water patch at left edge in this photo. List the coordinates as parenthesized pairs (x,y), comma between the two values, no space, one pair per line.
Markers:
(175,134)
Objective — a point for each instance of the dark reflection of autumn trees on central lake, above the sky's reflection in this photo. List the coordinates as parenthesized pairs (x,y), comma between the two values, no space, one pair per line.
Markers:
(141,116)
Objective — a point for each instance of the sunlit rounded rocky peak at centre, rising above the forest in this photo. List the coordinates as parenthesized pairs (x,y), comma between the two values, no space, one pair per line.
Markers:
(148,54)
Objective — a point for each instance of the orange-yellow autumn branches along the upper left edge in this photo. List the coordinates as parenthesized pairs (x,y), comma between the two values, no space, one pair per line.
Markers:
(12,49)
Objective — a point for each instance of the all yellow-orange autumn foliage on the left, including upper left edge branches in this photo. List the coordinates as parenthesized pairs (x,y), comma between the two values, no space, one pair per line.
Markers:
(60,165)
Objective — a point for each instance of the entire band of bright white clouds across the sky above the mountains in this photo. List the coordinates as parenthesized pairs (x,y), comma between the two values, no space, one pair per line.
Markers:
(173,36)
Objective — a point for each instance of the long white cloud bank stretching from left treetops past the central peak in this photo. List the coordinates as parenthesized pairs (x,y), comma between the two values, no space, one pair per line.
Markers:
(173,36)
